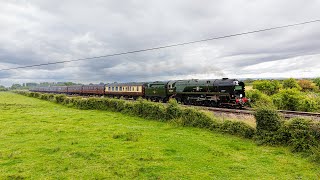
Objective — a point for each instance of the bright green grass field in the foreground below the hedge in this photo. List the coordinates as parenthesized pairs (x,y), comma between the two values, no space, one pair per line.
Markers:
(43,140)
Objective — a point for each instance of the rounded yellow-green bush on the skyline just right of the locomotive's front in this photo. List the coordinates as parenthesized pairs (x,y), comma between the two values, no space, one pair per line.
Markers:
(268,87)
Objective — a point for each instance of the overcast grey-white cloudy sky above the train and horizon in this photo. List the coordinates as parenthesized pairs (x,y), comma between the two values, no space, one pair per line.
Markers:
(42,31)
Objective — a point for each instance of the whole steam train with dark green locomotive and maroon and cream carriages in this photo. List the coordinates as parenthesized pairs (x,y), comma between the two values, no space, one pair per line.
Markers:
(207,92)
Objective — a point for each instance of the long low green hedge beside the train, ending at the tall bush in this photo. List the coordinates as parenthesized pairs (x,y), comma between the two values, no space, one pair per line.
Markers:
(172,112)
